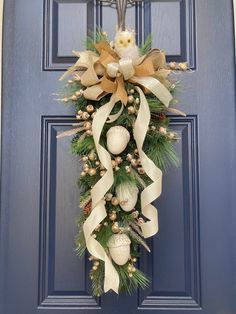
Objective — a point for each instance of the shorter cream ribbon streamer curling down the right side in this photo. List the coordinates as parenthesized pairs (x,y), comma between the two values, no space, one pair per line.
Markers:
(153,191)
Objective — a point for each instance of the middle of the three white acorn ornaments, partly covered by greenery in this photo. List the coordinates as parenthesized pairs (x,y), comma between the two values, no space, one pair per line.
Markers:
(127,195)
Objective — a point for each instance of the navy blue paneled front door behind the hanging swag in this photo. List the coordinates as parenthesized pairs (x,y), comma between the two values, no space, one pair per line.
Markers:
(192,264)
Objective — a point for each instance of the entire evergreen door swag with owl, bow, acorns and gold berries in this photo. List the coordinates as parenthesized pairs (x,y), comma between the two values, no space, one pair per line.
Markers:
(121,95)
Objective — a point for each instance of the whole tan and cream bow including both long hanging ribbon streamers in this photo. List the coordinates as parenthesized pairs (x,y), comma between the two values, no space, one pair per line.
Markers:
(106,74)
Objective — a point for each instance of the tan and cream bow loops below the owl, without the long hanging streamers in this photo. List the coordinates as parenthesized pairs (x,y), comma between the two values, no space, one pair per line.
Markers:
(106,73)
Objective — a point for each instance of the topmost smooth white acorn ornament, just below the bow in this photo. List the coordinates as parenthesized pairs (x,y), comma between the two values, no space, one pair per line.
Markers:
(117,139)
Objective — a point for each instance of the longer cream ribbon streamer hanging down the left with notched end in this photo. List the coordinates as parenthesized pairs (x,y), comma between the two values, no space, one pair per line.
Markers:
(98,213)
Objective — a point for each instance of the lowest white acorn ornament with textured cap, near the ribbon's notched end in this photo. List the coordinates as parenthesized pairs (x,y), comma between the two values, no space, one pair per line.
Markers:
(119,248)
